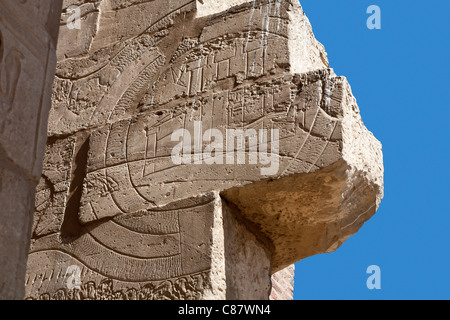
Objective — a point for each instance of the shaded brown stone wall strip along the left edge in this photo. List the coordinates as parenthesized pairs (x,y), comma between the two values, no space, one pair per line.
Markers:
(28,33)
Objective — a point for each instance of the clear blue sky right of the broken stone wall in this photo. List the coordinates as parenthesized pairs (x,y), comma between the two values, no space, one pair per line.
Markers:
(400,77)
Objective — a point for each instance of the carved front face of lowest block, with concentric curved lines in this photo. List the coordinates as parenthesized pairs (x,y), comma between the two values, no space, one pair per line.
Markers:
(148,245)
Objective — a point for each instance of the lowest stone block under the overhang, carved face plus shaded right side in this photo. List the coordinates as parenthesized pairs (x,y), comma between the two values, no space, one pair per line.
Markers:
(180,251)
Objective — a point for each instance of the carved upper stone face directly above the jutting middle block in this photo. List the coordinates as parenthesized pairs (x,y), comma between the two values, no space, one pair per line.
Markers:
(109,85)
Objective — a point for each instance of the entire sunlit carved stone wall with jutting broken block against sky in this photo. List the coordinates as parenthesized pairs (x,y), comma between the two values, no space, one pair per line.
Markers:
(120,210)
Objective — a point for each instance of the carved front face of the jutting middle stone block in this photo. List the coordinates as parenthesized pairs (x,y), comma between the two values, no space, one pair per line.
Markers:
(137,151)
